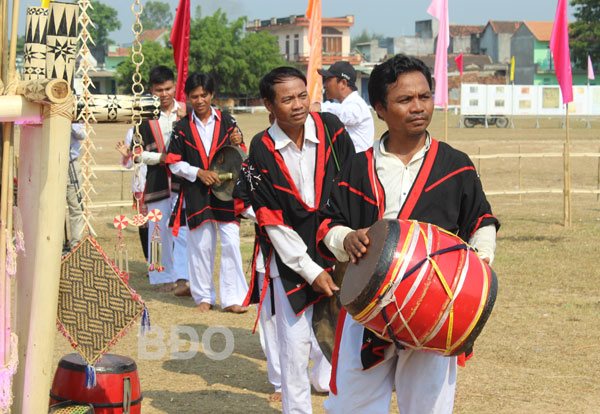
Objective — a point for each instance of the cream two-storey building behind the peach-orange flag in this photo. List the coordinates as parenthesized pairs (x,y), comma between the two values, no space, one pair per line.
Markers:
(292,36)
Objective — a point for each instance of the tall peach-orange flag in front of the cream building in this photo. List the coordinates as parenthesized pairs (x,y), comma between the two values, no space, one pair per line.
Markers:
(313,79)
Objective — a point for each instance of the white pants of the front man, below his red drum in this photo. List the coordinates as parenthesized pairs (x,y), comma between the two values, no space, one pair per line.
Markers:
(425,383)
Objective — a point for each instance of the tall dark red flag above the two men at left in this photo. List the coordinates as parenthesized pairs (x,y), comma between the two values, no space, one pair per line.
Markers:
(180,39)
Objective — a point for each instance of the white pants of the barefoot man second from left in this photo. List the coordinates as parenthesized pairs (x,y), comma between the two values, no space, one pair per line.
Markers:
(201,249)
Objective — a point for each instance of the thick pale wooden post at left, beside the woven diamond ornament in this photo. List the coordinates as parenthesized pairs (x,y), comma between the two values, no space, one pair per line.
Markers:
(43,204)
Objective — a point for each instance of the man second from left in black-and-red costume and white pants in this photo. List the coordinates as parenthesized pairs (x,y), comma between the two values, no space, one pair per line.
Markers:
(195,140)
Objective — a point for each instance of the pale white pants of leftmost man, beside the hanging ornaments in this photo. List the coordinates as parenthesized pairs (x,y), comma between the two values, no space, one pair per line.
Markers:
(166,237)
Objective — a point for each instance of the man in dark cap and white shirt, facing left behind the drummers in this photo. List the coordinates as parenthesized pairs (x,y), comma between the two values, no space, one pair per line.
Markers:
(339,82)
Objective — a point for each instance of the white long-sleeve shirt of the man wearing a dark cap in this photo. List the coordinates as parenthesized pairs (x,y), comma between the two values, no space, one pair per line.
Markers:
(357,119)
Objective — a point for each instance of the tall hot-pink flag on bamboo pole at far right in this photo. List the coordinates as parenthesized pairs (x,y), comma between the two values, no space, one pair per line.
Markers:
(559,44)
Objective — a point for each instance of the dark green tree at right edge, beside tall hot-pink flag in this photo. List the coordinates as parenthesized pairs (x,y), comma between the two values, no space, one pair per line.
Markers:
(585,32)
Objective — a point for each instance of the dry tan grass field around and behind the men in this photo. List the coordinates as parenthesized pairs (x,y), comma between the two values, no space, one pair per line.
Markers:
(539,352)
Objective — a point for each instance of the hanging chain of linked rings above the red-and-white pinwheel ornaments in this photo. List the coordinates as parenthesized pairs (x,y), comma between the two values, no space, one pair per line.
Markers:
(137,58)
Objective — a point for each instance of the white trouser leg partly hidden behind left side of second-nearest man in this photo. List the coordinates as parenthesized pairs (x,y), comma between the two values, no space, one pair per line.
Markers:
(267,332)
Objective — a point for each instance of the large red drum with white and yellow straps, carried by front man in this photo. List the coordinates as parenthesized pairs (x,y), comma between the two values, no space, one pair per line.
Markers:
(420,287)
